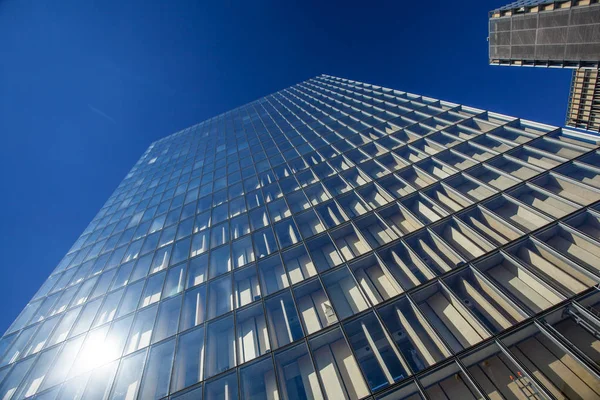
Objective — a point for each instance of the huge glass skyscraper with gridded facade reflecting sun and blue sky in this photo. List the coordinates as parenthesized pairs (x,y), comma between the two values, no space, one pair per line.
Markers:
(333,240)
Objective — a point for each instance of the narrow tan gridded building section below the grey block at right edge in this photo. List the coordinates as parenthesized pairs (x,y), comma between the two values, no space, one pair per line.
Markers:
(584,101)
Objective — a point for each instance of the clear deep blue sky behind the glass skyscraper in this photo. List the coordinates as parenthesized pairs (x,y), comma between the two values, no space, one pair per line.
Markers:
(86,86)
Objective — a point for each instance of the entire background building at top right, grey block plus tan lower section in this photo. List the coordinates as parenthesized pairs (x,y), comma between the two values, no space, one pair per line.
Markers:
(553,34)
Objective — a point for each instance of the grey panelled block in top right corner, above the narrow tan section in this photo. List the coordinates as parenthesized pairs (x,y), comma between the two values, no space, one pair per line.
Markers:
(546,33)
